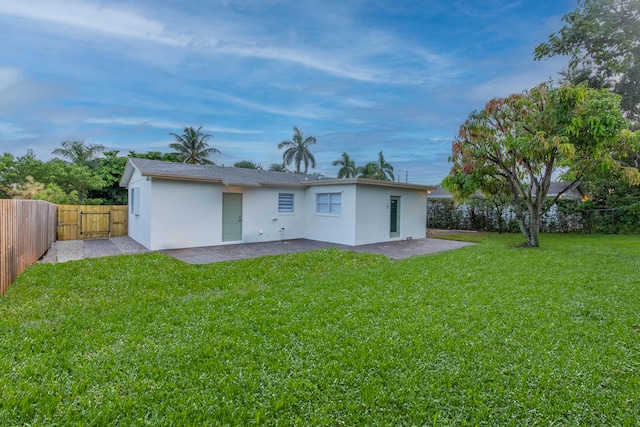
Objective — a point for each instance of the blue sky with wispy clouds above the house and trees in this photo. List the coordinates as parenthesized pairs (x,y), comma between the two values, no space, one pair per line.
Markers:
(361,76)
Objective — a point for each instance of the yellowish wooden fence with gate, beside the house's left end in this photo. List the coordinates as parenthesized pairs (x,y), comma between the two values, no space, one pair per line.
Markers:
(92,222)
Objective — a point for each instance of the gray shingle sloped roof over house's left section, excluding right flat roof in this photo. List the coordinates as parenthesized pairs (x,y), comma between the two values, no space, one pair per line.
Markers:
(208,173)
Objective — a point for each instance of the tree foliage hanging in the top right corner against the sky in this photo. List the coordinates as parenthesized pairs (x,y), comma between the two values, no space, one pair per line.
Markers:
(602,39)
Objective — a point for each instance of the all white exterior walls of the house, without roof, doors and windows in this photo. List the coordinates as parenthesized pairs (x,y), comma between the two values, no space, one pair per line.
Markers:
(180,214)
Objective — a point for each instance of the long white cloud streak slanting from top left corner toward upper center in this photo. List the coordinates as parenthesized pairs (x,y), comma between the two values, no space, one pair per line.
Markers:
(350,61)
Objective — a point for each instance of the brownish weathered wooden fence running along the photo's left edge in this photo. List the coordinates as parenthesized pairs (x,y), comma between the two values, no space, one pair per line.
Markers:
(27,231)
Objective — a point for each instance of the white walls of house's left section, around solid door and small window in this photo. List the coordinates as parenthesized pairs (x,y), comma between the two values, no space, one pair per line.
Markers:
(189,214)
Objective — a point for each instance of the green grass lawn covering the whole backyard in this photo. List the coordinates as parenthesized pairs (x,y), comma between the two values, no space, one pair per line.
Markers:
(485,335)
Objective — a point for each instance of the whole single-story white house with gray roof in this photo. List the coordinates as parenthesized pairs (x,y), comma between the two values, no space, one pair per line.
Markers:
(177,205)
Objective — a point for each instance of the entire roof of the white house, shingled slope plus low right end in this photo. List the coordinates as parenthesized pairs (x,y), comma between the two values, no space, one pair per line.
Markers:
(232,176)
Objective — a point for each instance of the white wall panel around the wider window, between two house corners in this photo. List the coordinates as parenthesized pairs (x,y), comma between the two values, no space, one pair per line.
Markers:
(332,228)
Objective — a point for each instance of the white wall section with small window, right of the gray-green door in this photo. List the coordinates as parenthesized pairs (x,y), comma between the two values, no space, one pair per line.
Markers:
(261,221)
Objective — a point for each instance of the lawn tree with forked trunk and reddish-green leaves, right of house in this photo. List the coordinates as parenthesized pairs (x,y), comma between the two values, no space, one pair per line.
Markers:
(516,144)
